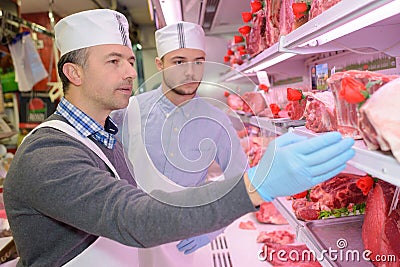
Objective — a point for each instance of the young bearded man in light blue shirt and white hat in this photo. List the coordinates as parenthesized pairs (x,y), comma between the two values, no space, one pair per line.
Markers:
(183,133)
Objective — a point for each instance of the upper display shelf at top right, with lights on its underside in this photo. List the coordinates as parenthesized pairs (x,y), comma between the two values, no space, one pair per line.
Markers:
(347,25)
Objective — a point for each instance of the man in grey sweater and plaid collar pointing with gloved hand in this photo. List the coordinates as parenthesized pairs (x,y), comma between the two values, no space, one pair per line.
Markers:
(69,196)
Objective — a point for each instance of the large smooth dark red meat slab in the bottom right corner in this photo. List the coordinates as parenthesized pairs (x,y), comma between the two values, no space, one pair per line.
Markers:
(380,232)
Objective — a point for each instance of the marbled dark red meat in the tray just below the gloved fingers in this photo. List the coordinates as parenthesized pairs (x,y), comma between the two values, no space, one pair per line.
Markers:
(339,192)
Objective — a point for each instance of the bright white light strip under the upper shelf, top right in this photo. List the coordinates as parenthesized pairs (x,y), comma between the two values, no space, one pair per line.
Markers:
(370,18)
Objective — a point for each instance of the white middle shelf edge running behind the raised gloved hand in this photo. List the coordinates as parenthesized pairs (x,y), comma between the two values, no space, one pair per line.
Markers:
(376,163)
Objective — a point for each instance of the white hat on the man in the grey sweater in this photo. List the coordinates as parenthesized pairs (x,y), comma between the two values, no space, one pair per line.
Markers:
(91,28)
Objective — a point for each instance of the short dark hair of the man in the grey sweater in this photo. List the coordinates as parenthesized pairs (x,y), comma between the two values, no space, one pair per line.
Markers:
(78,57)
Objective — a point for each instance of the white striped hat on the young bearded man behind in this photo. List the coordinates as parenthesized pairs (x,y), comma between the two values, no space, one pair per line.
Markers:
(179,35)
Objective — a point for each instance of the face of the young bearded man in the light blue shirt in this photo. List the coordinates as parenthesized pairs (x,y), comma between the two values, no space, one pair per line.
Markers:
(183,70)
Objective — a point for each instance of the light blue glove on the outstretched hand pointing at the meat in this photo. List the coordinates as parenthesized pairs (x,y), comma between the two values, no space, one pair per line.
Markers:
(293,163)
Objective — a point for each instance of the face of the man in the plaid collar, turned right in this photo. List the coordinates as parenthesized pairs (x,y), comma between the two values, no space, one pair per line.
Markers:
(108,77)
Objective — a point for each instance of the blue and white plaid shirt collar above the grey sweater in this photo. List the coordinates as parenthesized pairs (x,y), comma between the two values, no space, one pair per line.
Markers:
(86,126)
